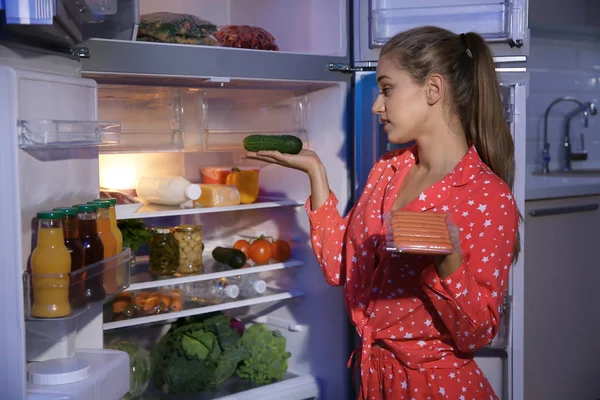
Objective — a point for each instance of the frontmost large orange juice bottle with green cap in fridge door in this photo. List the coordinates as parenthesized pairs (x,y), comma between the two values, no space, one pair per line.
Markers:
(50,267)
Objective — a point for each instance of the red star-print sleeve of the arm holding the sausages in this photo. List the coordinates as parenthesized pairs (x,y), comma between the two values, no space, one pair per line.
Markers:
(469,301)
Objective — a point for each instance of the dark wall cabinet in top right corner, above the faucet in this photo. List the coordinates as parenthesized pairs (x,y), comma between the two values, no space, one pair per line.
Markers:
(576,16)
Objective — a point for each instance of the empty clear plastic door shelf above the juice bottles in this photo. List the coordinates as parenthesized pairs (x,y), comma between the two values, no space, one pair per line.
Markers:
(48,133)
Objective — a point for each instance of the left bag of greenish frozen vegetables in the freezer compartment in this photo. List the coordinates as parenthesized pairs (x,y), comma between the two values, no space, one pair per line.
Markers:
(166,27)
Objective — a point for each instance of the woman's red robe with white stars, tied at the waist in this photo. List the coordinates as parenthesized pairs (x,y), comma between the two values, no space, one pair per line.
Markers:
(427,329)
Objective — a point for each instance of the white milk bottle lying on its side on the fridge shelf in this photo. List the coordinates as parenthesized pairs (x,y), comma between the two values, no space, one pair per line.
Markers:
(167,190)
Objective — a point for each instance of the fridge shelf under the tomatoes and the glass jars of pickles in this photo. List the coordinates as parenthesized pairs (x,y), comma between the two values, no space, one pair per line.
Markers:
(141,278)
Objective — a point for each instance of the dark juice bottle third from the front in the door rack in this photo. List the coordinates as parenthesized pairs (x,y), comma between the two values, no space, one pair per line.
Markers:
(93,248)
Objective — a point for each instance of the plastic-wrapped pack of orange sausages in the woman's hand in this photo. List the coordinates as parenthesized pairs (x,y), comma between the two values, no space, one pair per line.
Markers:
(414,232)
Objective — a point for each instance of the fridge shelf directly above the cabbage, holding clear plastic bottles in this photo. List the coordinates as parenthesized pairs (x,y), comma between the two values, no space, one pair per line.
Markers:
(196,308)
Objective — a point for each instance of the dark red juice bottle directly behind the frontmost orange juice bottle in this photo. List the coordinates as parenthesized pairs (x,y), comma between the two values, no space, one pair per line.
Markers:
(72,242)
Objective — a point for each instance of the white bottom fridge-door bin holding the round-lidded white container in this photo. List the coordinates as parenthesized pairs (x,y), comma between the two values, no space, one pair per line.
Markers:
(109,379)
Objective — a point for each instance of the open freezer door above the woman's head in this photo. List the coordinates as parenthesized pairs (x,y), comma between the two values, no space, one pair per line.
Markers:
(503,23)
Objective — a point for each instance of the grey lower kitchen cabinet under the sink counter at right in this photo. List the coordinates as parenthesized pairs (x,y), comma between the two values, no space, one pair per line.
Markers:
(562,317)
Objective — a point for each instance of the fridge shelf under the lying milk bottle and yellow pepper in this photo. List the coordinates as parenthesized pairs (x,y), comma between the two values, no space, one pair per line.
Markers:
(155,211)
